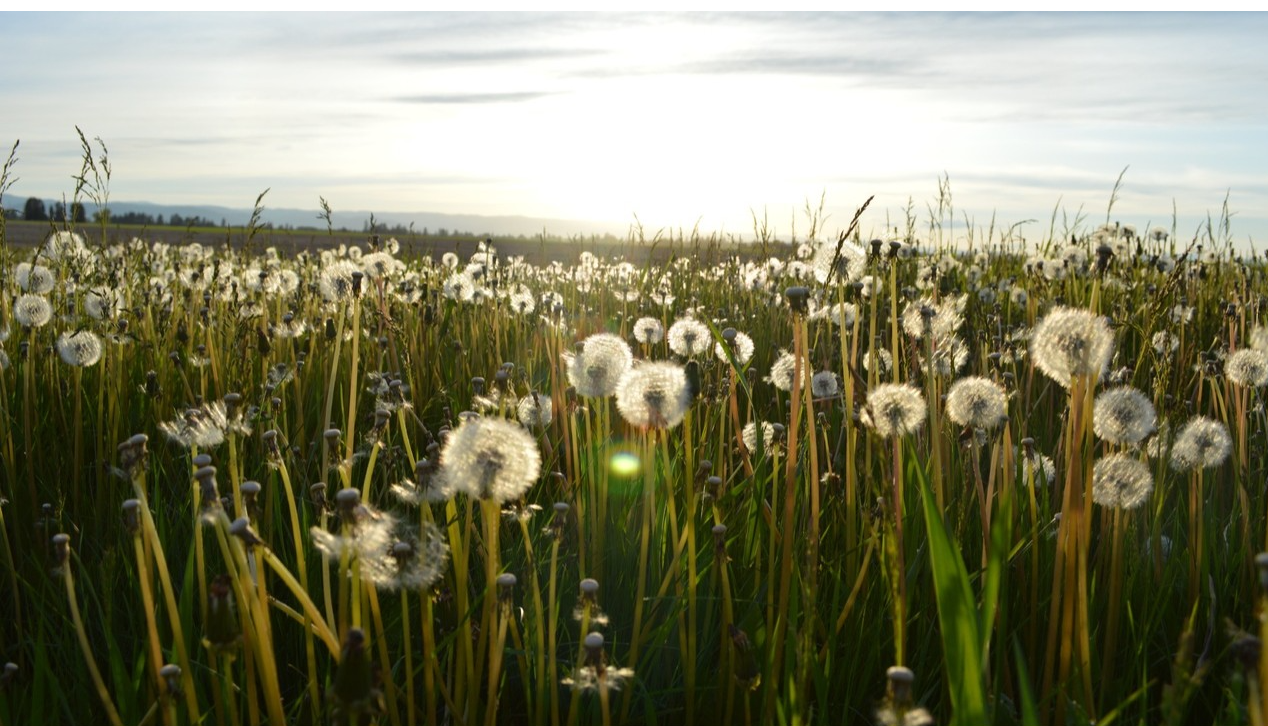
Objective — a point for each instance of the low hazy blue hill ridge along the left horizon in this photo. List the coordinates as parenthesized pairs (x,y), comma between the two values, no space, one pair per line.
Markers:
(358,220)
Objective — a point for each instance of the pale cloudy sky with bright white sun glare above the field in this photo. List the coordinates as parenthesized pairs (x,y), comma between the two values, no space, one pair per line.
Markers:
(671,121)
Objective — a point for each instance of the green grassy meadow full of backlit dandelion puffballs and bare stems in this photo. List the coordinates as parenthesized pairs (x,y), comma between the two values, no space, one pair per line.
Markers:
(900,482)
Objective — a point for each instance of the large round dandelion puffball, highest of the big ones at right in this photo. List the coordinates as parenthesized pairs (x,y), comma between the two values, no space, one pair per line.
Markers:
(1072,343)
